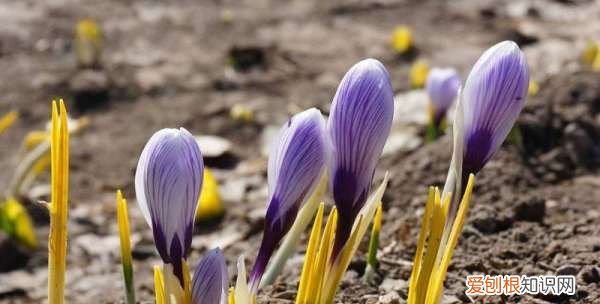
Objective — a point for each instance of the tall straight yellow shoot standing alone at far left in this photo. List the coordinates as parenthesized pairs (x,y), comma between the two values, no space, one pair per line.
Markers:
(58,207)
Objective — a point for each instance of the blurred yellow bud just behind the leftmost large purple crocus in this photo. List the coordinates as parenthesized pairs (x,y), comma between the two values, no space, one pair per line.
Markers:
(210,205)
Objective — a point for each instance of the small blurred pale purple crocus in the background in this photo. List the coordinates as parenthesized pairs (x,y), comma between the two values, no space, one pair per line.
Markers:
(442,87)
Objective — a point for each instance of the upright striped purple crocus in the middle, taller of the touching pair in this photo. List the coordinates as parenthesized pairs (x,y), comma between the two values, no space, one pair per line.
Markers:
(359,124)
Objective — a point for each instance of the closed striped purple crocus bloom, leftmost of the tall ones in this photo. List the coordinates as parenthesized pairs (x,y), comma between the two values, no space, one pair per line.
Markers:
(168,180)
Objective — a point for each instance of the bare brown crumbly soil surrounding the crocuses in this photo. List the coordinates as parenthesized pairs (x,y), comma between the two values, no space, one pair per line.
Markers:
(535,205)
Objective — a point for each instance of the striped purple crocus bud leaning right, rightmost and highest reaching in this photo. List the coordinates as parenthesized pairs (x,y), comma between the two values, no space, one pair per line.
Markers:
(492,98)
